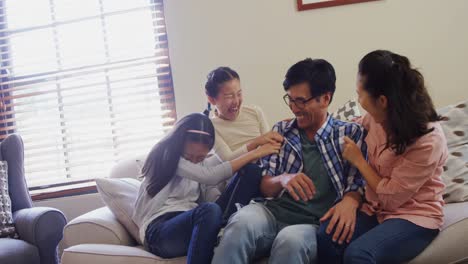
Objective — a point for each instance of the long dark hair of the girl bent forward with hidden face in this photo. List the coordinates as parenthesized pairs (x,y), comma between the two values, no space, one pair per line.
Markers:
(162,161)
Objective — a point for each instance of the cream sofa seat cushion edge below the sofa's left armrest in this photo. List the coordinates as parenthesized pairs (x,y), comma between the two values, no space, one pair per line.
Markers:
(107,254)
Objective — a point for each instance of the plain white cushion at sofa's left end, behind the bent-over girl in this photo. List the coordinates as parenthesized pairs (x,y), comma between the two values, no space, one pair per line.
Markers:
(120,196)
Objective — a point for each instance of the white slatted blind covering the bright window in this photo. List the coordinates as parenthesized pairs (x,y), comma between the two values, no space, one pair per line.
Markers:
(85,83)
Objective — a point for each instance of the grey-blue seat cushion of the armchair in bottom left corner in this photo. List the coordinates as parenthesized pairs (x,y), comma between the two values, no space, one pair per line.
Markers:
(17,251)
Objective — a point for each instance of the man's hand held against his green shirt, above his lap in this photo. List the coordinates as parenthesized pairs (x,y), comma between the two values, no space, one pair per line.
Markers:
(299,186)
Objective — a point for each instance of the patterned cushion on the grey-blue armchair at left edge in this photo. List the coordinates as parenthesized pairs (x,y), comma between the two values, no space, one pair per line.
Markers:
(7,228)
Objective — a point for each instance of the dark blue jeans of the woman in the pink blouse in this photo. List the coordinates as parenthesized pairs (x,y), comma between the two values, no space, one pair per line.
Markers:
(393,241)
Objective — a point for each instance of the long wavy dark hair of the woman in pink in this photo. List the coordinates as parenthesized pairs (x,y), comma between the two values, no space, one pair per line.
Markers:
(410,107)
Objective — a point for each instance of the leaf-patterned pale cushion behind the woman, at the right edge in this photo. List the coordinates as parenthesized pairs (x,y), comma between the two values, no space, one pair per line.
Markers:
(455,175)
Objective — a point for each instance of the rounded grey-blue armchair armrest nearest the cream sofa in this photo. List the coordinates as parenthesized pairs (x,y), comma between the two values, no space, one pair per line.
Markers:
(42,227)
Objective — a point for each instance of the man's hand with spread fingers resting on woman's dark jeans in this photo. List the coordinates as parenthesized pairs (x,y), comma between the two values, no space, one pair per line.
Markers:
(343,216)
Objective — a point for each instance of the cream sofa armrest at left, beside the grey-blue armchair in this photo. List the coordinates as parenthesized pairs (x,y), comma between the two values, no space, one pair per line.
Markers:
(99,226)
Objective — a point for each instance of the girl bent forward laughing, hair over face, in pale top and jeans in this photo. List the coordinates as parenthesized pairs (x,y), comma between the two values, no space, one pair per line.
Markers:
(170,213)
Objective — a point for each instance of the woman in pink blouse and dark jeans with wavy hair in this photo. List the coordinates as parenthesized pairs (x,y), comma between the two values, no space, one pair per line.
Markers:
(402,212)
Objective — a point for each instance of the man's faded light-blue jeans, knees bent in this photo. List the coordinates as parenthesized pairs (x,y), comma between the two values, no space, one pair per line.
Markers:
(254,232)
